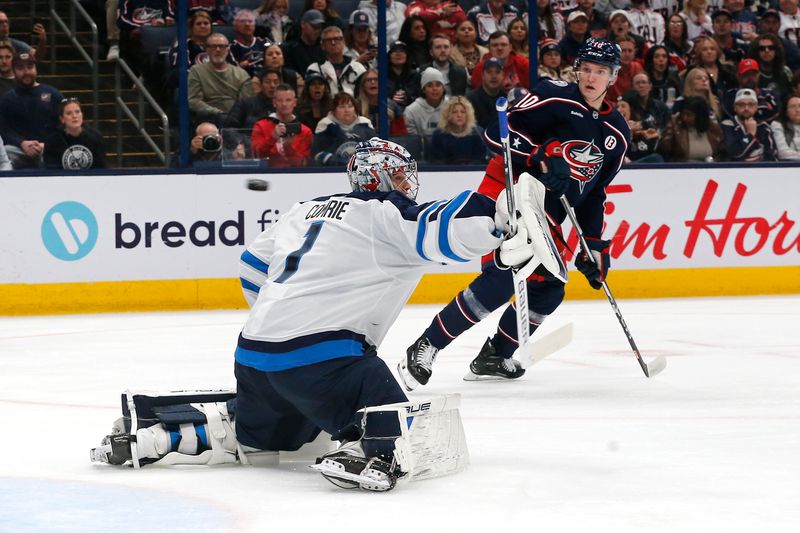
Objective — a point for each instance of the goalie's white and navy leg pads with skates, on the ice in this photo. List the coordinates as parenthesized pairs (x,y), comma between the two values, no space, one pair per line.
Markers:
(412,440)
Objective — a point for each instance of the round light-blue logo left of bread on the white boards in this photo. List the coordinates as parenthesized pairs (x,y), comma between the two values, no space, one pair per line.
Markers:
(69,231)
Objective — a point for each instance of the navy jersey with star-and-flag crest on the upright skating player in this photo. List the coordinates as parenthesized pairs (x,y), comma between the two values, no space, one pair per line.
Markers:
(594,145)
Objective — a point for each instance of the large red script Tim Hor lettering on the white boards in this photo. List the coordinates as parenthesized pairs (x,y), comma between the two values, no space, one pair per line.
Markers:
(747,235)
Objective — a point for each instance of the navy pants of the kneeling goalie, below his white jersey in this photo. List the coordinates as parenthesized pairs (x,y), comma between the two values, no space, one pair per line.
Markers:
(284,410)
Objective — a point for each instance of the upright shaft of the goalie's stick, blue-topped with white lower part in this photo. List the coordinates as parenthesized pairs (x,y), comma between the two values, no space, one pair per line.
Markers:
(520,281)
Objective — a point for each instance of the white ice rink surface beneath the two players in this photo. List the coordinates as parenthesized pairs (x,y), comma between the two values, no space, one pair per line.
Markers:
(583,442)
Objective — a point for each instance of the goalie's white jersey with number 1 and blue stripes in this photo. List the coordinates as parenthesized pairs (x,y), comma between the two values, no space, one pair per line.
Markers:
(311,276)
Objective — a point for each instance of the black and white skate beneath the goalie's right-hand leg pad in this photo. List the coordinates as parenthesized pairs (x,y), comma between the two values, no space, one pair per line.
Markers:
(348,469)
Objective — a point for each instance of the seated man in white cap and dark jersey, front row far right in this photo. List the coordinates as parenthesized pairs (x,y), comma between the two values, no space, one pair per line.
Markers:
(745,138)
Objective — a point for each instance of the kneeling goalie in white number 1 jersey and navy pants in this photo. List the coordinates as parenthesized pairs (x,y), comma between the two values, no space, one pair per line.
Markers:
(324,283)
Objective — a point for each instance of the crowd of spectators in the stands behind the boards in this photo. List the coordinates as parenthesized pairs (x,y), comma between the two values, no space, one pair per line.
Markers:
(701,80)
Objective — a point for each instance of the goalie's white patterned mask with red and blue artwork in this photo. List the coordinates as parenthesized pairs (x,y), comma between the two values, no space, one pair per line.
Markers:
(374,163)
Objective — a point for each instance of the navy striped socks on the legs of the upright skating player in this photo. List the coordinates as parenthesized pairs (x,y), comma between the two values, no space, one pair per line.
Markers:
(489,291)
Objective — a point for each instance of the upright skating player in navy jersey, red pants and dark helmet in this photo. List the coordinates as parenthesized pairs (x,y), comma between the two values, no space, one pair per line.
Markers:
(574,142)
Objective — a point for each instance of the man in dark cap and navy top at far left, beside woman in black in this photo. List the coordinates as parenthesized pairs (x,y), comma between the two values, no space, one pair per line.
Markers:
(28,113)
